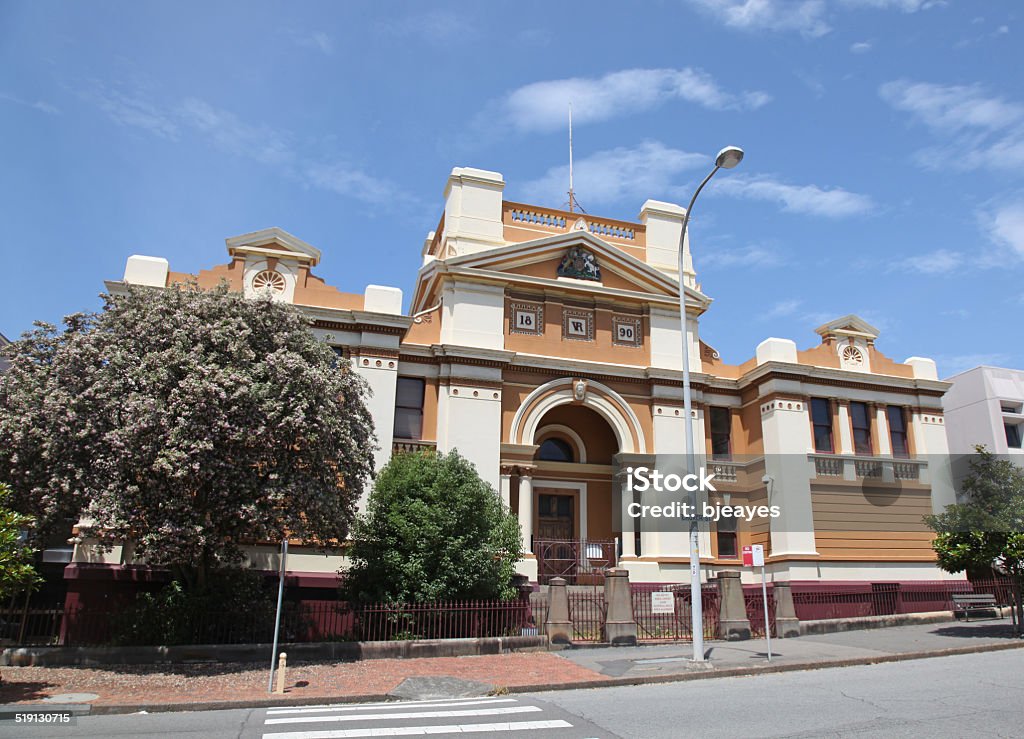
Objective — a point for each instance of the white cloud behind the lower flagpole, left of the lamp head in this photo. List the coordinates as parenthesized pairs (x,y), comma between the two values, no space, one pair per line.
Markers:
(609,177)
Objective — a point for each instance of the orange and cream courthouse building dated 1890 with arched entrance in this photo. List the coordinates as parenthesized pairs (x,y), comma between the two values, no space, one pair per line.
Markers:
(546,347)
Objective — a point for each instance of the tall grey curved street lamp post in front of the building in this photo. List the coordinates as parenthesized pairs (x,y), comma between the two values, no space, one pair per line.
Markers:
(727,159)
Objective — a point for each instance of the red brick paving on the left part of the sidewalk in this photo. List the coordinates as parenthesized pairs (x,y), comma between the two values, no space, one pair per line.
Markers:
(142,685)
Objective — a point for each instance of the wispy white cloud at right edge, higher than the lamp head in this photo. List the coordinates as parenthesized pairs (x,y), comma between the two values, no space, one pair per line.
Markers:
(975,129)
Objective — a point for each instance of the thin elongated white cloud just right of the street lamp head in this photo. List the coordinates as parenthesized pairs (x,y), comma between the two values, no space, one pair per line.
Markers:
(810,200)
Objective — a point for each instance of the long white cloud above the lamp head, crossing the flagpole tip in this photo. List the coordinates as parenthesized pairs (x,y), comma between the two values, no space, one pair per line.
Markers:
(544,106)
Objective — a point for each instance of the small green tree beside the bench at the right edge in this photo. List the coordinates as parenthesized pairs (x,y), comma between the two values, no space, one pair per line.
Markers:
(988,529)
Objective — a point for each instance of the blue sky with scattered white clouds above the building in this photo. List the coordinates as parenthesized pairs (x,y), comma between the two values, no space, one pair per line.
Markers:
(884,171)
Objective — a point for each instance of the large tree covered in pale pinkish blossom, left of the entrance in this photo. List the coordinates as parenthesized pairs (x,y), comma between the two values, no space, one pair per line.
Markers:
(188,422)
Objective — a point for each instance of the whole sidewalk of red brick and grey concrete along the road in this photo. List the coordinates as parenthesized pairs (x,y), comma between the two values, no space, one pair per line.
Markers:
(126,689)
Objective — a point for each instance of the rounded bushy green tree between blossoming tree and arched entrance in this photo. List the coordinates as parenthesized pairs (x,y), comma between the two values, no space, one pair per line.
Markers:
(433,531)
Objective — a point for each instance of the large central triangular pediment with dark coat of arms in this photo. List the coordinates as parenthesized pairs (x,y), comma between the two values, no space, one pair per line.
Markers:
(542,262)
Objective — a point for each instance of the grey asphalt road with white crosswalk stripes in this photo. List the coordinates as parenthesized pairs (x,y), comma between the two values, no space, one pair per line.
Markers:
(977,695)
